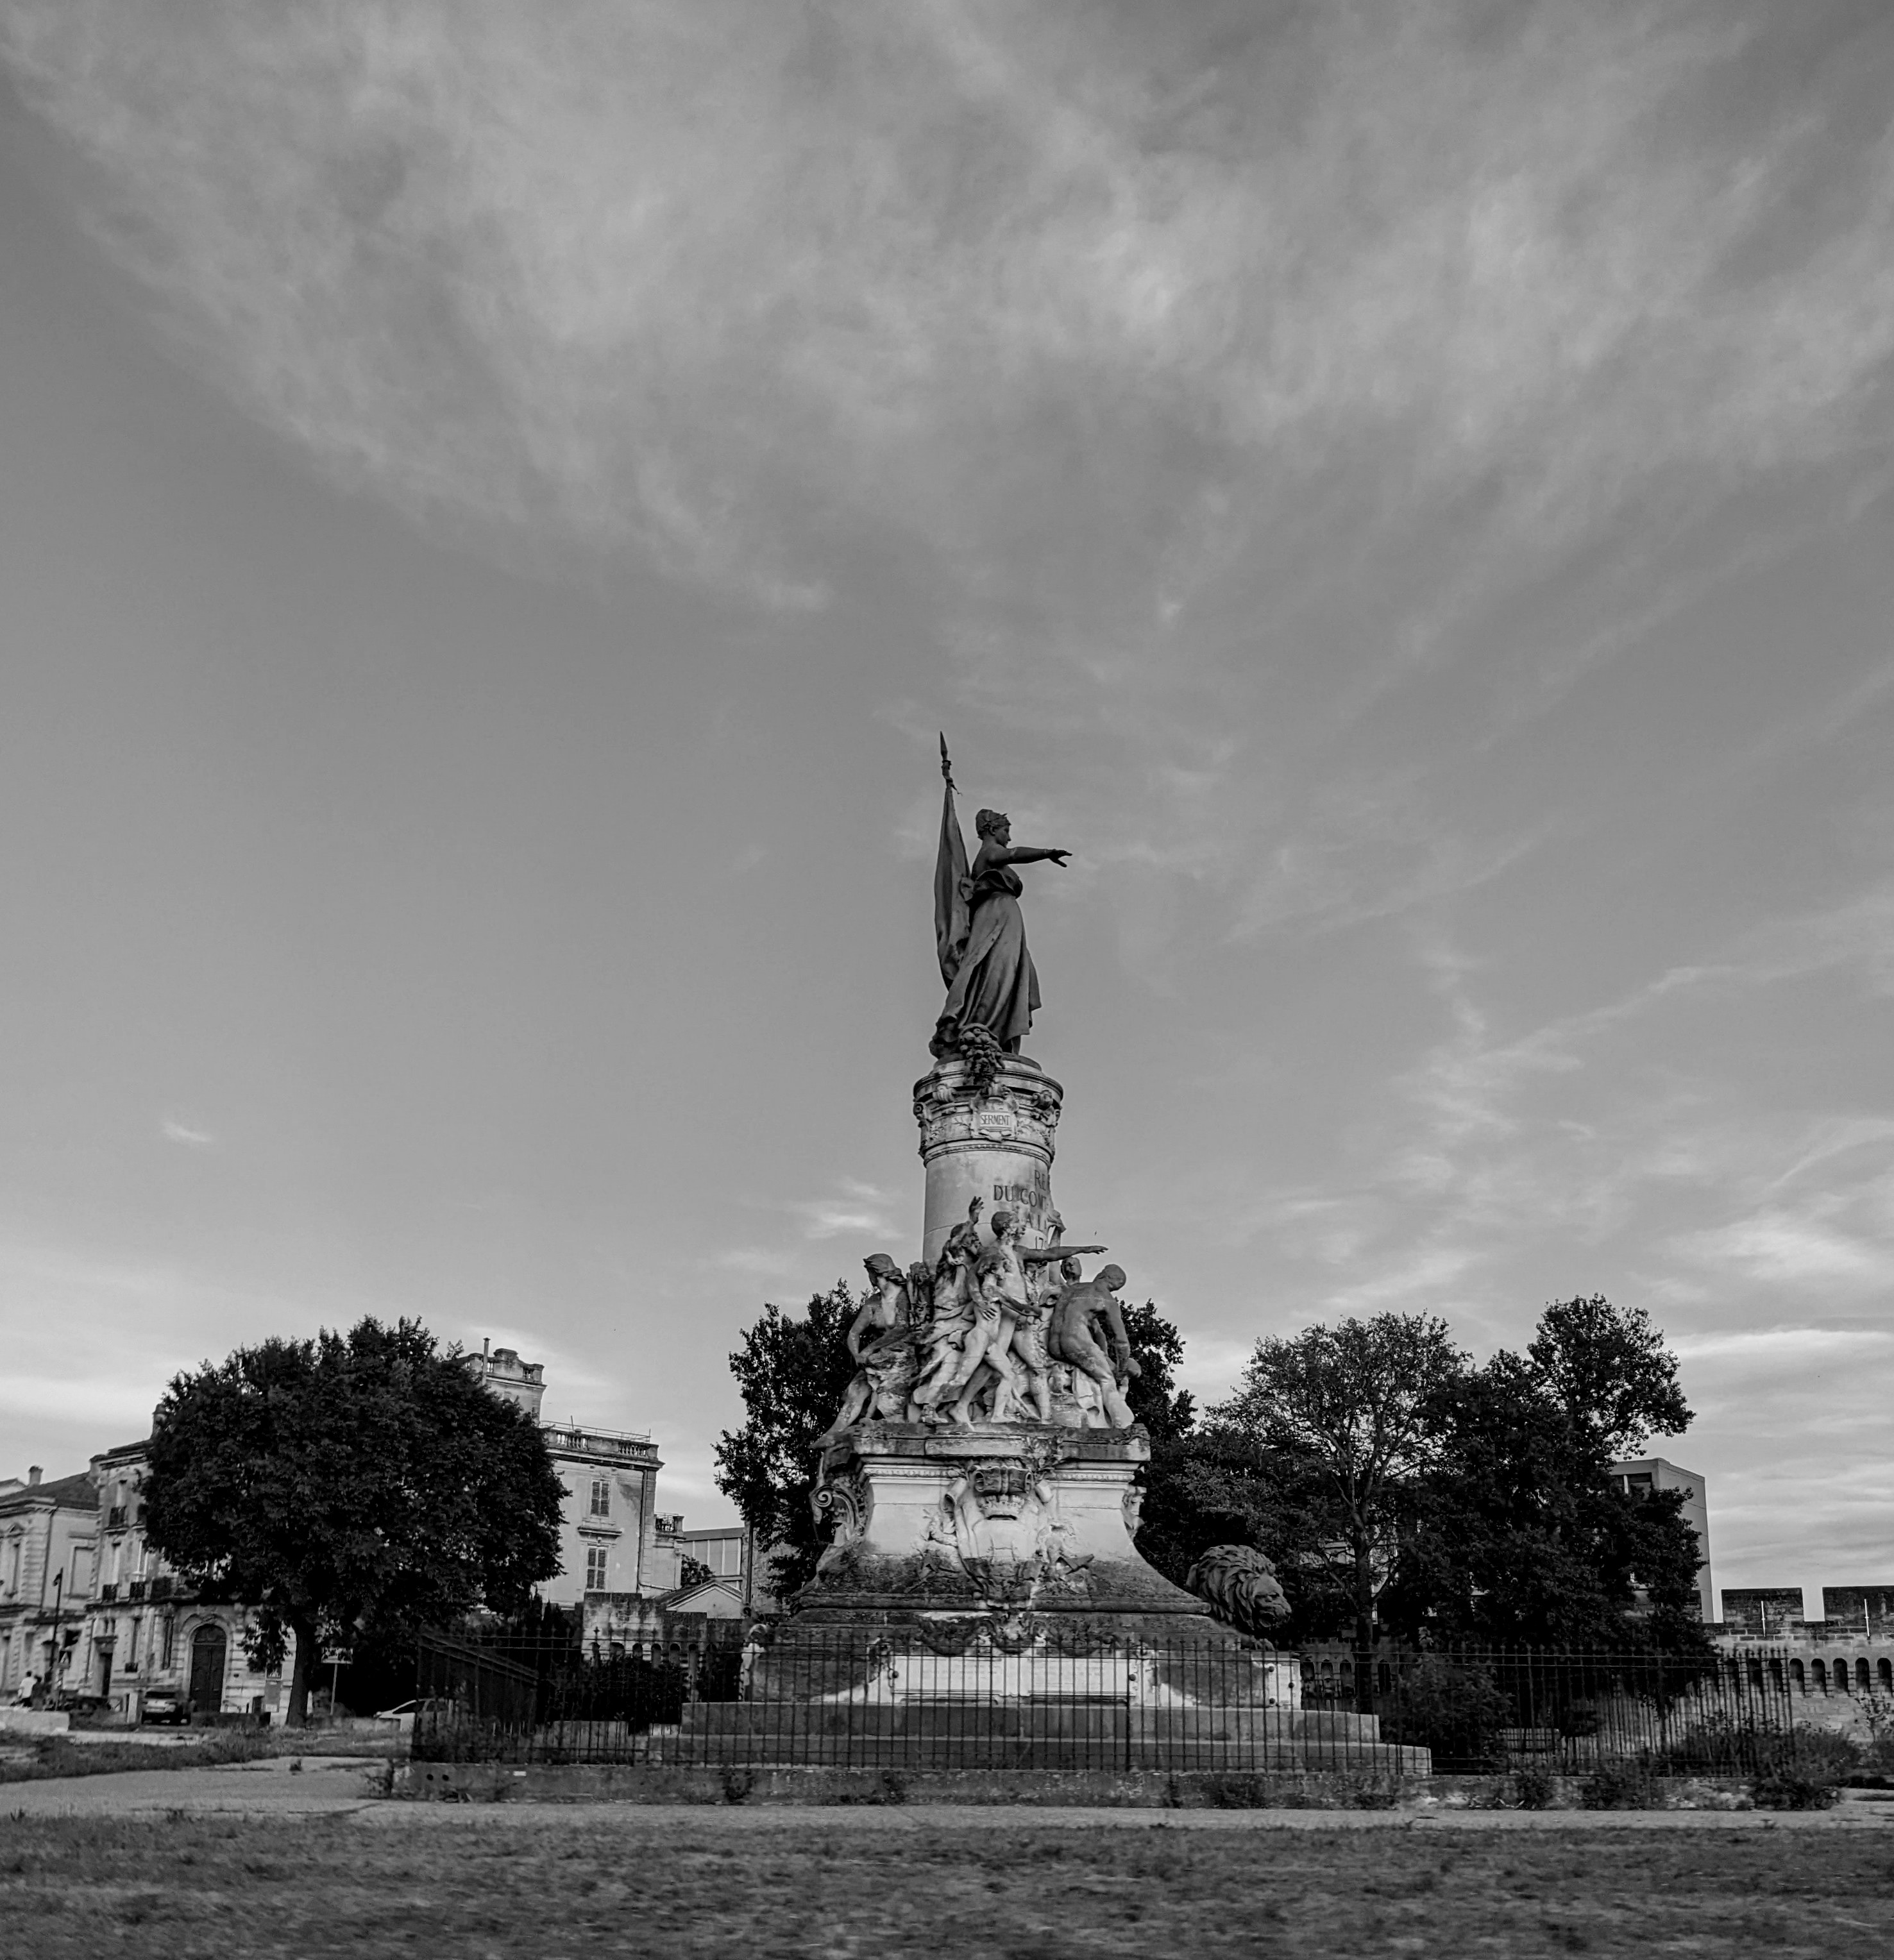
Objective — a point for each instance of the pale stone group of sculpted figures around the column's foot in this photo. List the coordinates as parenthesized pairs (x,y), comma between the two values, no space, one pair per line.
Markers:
(997,1332)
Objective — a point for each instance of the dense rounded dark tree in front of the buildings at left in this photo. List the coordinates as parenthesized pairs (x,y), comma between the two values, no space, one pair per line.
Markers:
(350,1485)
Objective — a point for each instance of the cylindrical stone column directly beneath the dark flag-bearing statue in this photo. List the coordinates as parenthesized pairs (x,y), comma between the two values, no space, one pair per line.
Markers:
(995,1146)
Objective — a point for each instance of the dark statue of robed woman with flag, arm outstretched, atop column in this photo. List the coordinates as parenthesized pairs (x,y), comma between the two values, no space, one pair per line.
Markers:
(981,932)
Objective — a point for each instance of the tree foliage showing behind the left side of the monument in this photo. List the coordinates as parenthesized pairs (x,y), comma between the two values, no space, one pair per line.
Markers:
(793,1375)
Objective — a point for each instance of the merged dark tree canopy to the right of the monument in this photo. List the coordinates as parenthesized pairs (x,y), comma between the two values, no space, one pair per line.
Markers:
(1493,1518)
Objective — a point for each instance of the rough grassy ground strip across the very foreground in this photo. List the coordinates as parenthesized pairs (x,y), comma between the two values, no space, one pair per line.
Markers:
(1005,1886)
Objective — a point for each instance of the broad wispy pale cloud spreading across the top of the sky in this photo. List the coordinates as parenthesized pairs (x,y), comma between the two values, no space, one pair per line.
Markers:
(719,277)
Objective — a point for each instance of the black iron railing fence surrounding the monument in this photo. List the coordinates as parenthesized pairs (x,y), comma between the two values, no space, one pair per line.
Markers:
(854,1700)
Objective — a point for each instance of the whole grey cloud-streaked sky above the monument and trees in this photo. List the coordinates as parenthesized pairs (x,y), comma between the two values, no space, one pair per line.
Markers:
(497,501)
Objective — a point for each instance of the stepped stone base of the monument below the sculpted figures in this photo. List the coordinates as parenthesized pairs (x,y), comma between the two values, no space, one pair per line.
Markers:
(983,1606)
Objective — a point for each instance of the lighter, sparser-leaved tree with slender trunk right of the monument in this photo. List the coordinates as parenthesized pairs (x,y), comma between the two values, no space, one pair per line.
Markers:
(1348,1410)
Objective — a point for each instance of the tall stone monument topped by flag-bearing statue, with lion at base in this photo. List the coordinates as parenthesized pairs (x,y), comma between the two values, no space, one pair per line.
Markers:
(979,1491)
